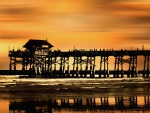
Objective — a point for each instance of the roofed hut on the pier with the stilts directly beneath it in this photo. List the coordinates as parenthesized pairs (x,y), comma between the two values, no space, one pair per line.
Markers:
(38,51)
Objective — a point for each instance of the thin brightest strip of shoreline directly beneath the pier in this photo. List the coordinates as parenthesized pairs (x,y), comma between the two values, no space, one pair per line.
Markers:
(66,80)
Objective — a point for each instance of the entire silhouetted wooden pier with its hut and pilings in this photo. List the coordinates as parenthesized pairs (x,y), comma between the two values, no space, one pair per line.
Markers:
(41,60)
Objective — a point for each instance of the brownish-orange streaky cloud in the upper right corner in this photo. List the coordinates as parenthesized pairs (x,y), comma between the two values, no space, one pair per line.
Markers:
(134,13)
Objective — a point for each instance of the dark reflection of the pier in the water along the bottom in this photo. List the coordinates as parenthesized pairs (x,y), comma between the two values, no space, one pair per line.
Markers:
(139,104)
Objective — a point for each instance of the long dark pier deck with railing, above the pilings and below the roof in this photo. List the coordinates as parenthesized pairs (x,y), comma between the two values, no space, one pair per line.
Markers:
(79,53)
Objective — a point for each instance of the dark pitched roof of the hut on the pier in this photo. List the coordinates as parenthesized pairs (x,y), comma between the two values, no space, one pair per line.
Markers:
(37,43)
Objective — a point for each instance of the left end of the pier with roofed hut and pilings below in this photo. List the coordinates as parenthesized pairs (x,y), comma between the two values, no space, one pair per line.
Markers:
(34,55)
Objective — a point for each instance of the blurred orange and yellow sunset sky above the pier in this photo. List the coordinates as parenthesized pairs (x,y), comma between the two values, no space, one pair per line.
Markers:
(85,24)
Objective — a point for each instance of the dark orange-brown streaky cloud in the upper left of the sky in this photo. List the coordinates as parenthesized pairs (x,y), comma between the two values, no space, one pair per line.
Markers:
(19,13)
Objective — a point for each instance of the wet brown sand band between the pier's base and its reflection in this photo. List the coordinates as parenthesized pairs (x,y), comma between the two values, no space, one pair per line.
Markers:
(13,87)
